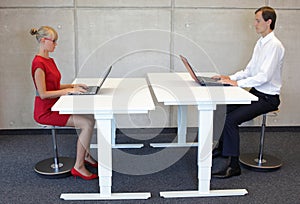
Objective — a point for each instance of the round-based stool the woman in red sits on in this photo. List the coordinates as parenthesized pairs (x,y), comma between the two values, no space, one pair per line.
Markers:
(55,167)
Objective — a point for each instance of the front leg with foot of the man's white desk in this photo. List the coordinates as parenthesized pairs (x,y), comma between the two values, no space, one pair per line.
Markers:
(205,139)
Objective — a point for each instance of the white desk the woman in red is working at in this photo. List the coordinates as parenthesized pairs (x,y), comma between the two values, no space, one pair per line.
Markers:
(118,96)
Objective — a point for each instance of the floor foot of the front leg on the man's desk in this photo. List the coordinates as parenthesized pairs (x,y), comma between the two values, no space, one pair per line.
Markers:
(211,193)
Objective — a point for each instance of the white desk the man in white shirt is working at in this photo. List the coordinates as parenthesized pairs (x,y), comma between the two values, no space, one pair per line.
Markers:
(180,89)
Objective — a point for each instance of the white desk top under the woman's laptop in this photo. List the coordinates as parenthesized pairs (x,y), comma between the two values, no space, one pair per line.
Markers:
(117,96)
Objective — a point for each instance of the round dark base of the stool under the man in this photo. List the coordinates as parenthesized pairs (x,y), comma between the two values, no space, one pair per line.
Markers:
(269,163)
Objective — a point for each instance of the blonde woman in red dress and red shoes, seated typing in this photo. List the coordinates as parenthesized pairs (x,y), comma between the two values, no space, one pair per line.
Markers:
(46,77)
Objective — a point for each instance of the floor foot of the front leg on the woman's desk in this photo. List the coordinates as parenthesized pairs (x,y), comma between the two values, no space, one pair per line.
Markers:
(98,196)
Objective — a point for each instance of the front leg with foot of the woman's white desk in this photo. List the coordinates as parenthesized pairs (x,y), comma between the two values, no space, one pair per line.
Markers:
(104,139)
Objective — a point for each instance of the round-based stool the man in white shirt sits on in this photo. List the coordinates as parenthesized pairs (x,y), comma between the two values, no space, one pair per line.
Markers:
(261,161)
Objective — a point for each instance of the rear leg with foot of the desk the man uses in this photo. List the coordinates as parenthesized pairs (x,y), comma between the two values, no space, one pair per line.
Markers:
(181,131)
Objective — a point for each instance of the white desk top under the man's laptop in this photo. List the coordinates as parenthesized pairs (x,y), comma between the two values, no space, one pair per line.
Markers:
(181,89)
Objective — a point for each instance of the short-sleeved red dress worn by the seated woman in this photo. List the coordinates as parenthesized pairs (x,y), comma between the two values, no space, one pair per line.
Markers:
(42,107)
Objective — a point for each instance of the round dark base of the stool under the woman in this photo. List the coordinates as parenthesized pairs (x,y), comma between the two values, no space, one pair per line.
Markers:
(46,168)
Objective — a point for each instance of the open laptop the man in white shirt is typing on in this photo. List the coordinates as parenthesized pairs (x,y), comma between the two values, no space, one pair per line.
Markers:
(203,81)
